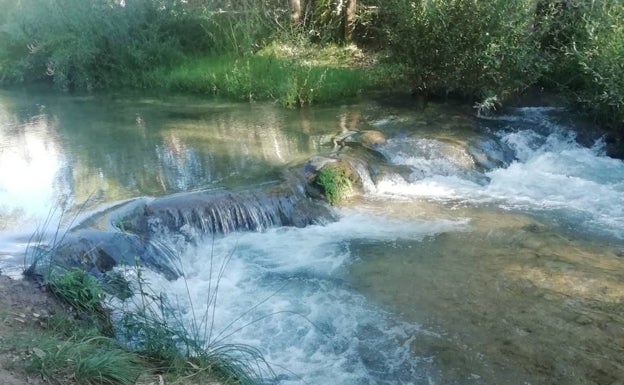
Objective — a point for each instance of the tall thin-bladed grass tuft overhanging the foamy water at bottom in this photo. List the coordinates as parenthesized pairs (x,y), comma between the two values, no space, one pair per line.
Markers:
(151,324)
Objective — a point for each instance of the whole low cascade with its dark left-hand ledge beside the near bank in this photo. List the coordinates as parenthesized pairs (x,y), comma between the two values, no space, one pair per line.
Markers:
(155,231)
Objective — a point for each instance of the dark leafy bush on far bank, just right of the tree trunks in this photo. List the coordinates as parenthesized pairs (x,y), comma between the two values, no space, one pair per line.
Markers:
(467,48)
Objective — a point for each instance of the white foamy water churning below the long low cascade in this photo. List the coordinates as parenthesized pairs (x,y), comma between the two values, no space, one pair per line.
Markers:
(284,292)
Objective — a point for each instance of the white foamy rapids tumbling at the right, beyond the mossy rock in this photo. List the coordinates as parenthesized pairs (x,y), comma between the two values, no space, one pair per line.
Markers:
(551,172)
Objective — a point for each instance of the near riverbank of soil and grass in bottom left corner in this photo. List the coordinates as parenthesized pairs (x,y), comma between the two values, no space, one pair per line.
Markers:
(43,341)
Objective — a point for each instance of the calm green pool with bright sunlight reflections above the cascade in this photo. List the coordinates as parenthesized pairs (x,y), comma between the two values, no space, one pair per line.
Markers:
(113,148)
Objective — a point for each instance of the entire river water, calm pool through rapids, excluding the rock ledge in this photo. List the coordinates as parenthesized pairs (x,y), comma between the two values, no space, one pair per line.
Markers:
(495,255)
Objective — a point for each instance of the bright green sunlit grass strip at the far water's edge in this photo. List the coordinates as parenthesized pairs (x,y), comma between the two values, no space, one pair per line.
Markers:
(267,77)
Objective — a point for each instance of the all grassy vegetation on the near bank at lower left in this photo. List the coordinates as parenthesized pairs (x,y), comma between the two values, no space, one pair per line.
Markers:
(143,335)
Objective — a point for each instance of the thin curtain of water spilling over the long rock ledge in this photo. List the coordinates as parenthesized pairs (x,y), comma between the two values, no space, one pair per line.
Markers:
(196,214)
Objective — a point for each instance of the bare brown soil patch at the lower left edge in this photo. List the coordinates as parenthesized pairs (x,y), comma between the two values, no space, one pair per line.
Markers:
(24,308)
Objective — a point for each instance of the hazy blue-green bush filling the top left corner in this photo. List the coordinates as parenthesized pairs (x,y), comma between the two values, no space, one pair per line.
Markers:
(89,44)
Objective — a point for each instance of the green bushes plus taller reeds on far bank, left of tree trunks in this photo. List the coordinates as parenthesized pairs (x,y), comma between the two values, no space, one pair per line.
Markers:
(96,44)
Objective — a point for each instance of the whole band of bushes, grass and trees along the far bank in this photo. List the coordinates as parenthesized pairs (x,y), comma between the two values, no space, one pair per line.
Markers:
(469,49)
